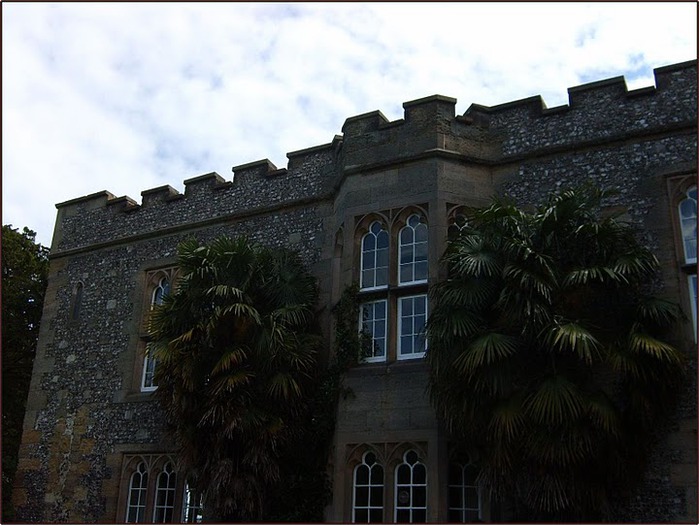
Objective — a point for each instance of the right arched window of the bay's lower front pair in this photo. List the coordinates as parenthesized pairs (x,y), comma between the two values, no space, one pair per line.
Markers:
(411,490)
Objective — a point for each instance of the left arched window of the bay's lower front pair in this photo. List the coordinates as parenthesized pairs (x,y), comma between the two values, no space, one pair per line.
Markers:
(367,499)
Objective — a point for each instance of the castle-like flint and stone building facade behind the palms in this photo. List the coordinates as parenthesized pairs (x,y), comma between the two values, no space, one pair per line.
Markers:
(373,206)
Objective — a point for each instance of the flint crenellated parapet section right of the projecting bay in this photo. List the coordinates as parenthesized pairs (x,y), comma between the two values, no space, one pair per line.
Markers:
(597,112)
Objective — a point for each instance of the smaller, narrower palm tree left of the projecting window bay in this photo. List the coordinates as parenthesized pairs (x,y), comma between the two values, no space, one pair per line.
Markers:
(236,353)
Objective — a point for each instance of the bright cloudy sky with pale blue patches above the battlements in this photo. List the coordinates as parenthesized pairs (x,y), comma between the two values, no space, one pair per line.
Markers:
(125,97)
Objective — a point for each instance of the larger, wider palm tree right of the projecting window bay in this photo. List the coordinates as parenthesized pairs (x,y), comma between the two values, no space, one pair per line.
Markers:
(547,355)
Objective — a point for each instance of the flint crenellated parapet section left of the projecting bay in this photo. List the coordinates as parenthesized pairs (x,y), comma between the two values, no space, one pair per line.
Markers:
(254,188)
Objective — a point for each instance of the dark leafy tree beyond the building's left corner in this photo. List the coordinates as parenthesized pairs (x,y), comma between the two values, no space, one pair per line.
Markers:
(24,274)
